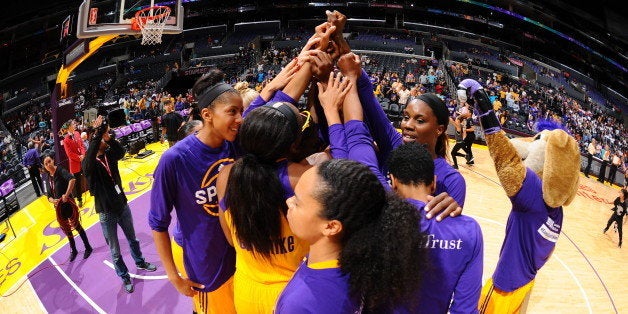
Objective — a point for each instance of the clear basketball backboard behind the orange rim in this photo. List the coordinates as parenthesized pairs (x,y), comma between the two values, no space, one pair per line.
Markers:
(104,17)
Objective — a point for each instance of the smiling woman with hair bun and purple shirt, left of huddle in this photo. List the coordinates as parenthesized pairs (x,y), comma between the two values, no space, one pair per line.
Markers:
(185,181)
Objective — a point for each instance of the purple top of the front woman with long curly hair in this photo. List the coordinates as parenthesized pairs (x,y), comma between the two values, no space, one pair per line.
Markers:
(316,291)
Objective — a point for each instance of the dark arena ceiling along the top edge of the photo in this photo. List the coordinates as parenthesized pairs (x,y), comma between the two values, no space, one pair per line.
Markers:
(601,26)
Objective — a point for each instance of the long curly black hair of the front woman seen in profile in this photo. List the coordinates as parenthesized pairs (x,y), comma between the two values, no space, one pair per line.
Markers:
(382,251)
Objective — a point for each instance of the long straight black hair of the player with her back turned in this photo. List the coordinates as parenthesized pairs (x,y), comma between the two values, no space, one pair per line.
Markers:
(255,196)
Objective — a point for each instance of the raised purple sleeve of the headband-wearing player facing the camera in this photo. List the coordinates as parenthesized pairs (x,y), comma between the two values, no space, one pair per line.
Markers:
(384,134)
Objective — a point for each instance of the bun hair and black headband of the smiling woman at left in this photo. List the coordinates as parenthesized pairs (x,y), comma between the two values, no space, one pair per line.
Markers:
(210,89)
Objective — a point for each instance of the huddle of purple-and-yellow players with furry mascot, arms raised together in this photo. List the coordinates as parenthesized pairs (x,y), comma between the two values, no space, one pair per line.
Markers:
(332,209)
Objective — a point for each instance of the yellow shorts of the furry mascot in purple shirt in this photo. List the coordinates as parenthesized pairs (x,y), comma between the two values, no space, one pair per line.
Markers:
(494,300)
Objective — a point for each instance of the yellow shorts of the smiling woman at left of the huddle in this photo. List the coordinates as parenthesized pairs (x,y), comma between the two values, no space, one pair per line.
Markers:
(217,301)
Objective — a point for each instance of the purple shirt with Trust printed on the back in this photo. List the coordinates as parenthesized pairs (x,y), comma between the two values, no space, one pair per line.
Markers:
(456,253)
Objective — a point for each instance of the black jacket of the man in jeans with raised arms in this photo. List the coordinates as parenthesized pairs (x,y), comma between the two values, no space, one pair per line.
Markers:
(101,185)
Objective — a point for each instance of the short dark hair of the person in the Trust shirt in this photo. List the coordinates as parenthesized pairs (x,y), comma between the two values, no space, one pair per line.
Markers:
(411,164)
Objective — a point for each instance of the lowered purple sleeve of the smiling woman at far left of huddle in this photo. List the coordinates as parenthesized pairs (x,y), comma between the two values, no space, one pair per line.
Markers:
(161,197)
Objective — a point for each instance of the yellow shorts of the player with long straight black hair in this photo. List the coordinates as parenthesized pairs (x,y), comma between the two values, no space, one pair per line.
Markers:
(254,297)
